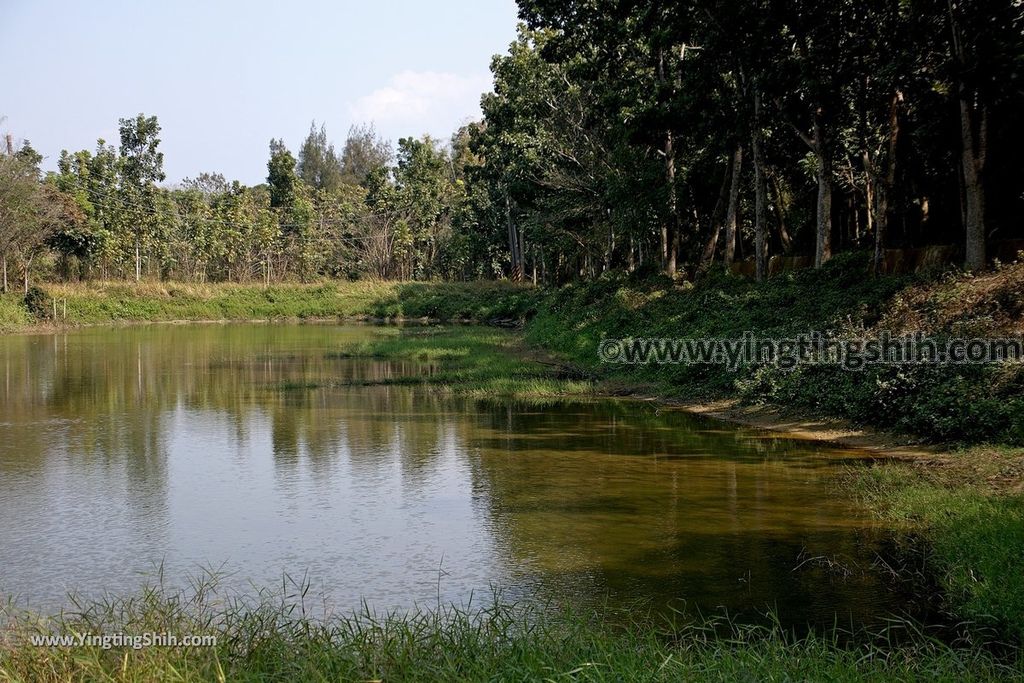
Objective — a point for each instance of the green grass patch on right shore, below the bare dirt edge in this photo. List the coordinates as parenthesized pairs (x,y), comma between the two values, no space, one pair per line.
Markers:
(966,514)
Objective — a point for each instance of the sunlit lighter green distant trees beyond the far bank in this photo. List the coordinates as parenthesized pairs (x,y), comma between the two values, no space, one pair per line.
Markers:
(363,211)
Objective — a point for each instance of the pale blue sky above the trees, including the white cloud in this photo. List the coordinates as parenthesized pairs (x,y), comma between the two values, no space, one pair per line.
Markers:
(227,77)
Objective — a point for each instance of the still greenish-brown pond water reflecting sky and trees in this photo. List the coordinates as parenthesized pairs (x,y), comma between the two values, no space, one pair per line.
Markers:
(204,447)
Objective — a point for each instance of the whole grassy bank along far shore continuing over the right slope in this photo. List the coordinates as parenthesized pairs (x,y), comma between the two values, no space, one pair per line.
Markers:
(950,404)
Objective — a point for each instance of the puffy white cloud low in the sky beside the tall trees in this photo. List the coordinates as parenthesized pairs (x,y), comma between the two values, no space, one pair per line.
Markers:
(415,103)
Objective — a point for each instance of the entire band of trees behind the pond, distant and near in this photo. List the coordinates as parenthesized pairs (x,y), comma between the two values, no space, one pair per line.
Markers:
(620,136)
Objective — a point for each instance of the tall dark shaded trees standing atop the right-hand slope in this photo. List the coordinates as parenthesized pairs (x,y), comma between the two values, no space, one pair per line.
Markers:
(631,135)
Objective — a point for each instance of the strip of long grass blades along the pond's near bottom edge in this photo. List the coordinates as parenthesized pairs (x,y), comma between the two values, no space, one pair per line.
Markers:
(282,637)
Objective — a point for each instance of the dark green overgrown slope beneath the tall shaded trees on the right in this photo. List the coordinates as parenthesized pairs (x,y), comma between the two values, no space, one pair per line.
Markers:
(948,404)
